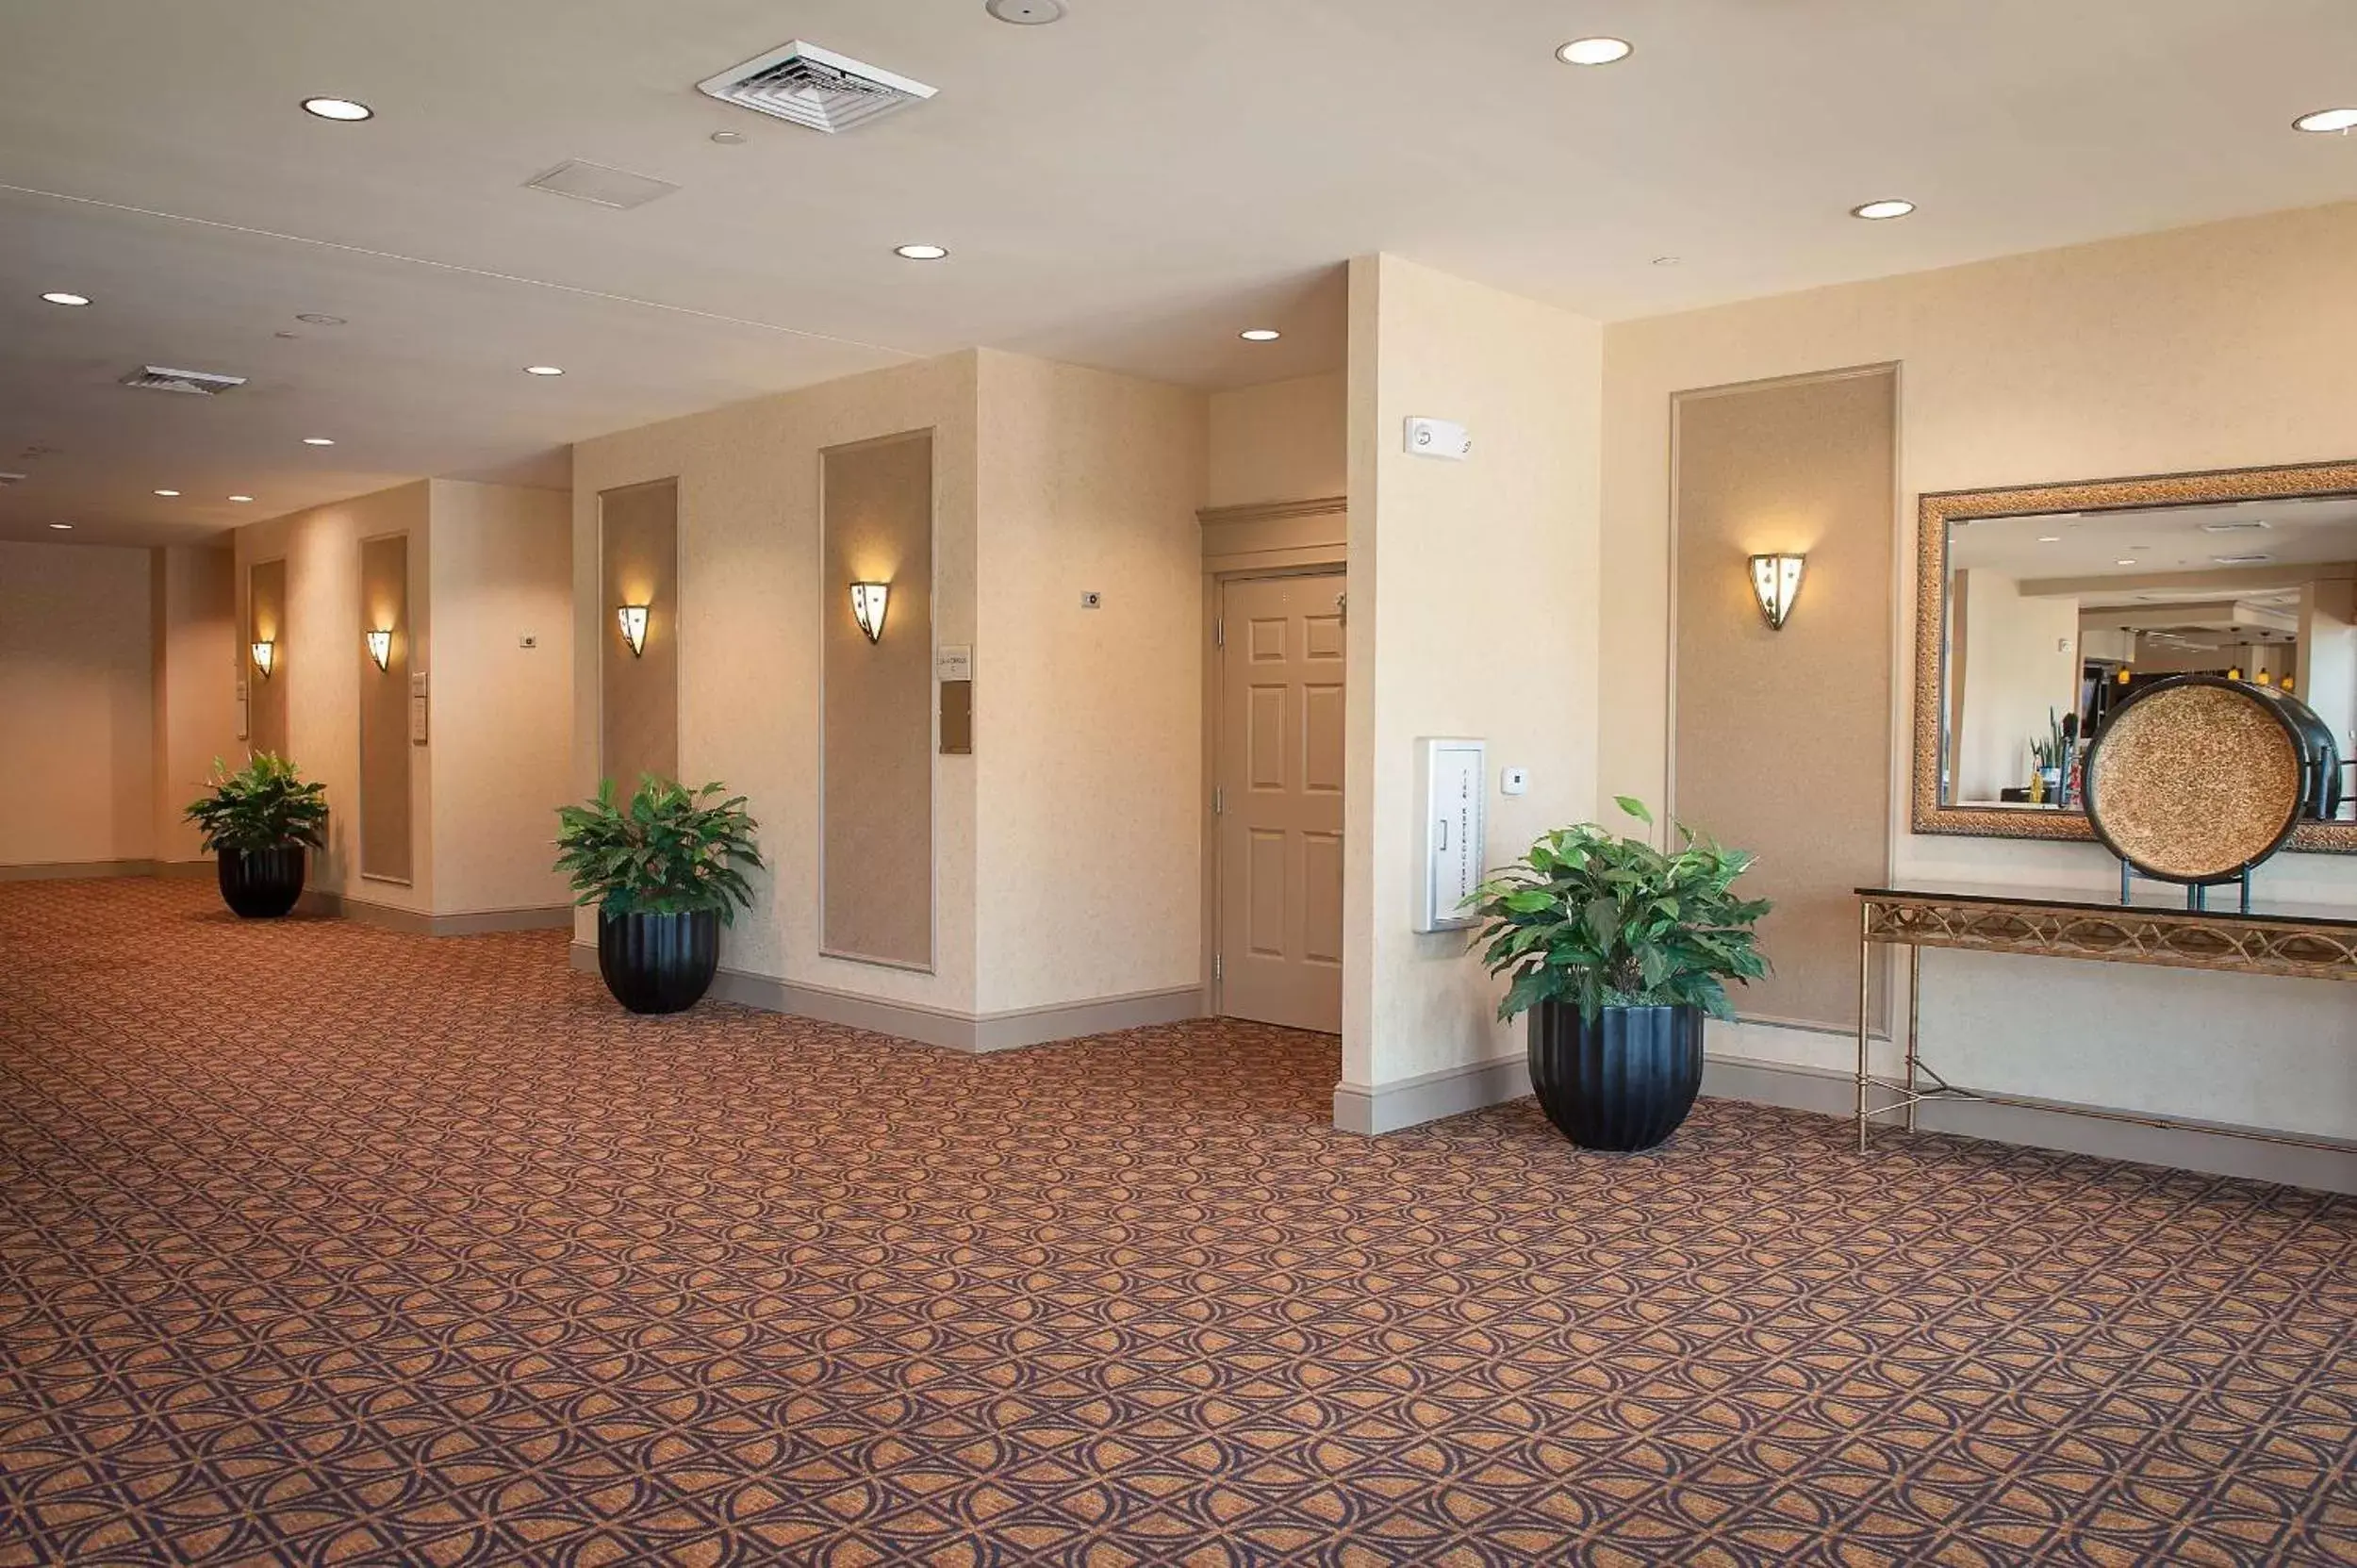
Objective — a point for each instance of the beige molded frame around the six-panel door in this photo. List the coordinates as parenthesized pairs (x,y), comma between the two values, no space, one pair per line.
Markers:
(1290,539)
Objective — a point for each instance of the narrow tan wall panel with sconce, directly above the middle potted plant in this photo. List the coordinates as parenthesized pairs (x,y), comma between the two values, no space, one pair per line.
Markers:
(640,692)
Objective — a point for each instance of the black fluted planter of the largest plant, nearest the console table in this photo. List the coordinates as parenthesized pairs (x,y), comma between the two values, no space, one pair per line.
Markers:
(1623,1081)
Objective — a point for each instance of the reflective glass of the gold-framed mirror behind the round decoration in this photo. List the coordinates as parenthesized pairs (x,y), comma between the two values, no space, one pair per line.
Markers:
(2056,617)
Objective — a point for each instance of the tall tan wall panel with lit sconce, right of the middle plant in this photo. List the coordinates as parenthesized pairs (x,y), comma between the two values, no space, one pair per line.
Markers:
(878,704)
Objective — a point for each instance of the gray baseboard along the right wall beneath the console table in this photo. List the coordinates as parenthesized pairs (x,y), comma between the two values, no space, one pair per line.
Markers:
(2207,1149)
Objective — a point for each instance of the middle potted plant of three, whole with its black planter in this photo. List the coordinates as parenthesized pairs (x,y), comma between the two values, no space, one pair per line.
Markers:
(666,871)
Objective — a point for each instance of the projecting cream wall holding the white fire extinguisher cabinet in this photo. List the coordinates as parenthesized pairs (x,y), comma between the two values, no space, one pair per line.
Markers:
(1474,612)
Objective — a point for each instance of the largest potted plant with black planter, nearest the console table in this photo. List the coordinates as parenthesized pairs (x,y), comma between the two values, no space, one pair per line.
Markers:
(1618,951)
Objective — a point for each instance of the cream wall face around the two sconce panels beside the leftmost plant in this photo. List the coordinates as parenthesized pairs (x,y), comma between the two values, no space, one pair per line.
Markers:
(319,671)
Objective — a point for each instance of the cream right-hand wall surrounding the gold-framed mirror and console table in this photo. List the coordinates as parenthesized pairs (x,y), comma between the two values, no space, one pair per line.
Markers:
(2193,350)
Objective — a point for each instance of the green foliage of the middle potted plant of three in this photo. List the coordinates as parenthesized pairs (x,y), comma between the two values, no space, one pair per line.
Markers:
(671,850)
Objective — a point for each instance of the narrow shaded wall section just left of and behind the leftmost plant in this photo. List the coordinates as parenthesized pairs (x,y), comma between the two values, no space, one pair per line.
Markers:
(194,668)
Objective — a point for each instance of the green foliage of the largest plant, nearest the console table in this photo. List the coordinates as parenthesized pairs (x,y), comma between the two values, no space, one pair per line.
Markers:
(1618,923)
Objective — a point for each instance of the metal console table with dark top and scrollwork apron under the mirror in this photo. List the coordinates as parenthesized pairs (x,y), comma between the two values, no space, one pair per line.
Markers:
(2269,940)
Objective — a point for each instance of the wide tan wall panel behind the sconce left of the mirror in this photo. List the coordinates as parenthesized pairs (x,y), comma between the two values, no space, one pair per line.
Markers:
(1783,739)
